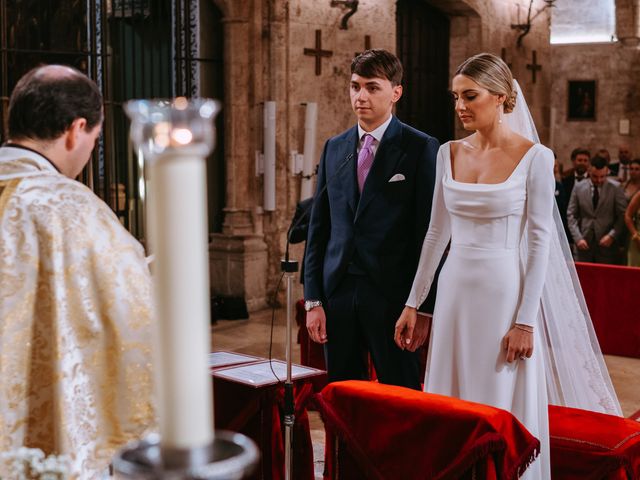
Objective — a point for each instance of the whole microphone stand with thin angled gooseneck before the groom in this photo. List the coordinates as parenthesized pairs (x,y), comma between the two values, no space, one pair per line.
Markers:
(289,268)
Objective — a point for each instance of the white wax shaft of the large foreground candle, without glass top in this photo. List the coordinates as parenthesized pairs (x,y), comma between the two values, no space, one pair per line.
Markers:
(179,241)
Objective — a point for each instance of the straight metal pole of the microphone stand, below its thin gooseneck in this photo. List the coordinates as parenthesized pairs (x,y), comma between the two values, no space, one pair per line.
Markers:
(289,267)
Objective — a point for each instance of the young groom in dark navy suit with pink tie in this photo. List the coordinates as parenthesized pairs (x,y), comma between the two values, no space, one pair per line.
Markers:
(369,218)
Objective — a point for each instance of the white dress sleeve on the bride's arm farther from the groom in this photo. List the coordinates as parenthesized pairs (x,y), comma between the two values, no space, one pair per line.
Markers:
(539,226)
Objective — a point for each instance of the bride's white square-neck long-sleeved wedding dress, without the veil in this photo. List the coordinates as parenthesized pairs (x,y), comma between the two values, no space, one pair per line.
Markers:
(485,287)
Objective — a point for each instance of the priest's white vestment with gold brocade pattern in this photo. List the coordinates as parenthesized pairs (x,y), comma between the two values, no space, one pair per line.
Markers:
(75,319)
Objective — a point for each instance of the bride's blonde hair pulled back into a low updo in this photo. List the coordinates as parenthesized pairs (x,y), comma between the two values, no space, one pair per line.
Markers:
(490,72)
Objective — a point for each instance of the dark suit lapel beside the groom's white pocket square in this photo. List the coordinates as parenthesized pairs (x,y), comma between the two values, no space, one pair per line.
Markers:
(387,157)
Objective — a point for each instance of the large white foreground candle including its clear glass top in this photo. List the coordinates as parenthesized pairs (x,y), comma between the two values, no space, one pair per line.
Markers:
(175,138)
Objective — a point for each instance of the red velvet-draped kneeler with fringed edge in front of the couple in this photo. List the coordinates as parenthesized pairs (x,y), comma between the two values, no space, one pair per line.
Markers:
(392,432)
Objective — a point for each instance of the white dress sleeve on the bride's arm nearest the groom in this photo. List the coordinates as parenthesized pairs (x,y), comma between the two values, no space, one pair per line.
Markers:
(435,241)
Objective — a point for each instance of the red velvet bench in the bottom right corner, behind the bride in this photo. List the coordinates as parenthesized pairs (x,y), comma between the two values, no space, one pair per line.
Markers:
(593,446)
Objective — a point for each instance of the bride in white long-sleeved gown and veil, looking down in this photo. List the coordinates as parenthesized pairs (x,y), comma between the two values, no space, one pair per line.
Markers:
(510,325)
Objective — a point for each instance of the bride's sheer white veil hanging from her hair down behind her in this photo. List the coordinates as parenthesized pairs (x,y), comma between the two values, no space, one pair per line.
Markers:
(574,366)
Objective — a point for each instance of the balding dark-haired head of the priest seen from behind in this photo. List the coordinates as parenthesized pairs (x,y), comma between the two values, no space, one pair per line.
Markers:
(56,110)
